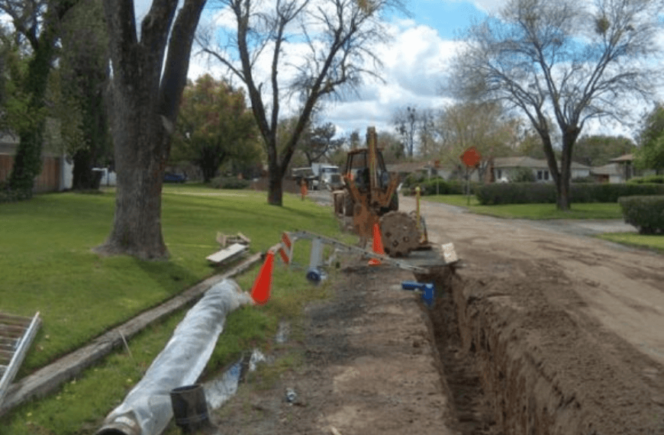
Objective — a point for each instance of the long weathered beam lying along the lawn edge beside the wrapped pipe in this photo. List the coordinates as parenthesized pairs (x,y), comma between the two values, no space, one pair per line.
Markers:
(49,378)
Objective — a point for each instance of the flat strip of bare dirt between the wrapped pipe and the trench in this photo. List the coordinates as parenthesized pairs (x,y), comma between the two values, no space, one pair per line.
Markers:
(369,365)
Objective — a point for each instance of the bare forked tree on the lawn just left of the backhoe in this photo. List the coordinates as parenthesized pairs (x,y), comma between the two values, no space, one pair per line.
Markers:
(339,36)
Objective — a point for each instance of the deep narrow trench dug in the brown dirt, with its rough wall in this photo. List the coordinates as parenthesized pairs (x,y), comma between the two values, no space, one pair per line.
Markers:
(494,386)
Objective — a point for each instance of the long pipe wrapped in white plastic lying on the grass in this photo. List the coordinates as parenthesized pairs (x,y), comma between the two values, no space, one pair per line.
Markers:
(147,408)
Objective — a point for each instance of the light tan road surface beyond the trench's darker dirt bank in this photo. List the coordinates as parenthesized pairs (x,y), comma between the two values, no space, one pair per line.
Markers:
(621,287)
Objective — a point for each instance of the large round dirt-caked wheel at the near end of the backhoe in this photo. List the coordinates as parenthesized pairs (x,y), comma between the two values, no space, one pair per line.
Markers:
(399,233)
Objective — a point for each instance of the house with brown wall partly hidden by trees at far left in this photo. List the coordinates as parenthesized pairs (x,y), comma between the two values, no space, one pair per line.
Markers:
(56,172)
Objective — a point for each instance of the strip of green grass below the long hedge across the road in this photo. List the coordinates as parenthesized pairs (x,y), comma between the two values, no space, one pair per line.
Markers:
(533,211)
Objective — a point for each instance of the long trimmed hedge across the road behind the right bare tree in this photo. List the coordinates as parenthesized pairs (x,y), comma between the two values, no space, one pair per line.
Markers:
(545,193)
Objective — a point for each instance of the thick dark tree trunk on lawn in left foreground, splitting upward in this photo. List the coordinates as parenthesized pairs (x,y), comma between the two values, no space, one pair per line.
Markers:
(146,98)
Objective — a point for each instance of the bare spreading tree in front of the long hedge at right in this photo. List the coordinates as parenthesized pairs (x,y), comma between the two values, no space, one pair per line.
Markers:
(566,60)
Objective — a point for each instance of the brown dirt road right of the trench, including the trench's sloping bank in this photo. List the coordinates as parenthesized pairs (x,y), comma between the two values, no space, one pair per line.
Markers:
(568,330)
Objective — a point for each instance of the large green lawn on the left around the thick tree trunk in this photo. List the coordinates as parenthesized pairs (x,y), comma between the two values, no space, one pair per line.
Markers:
(48,266)
